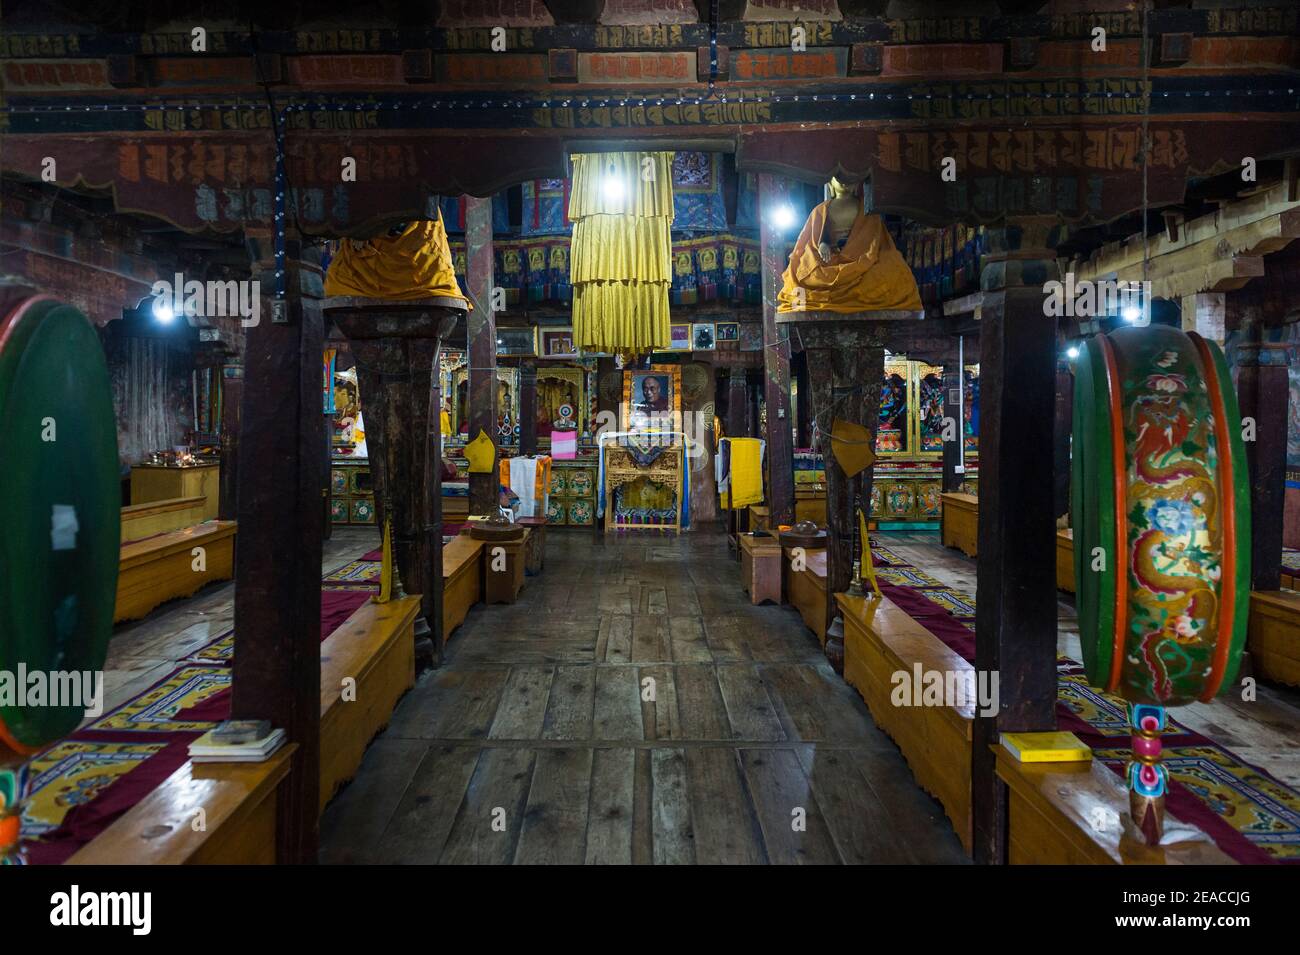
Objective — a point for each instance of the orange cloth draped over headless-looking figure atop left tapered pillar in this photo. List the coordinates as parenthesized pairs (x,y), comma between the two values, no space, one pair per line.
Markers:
(415,264)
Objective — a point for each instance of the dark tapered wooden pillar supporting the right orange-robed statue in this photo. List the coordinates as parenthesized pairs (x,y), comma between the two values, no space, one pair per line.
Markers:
(847,361)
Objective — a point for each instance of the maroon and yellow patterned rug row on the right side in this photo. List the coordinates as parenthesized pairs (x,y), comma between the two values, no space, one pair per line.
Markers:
(1254,818)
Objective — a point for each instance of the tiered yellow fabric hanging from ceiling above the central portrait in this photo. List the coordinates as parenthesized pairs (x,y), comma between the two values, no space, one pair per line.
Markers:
(621,263)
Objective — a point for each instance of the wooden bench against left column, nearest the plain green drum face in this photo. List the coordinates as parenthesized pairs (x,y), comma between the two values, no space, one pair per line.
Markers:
(162,568)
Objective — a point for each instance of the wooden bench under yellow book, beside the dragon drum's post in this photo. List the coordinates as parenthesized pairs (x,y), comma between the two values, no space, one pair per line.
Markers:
(1074,814)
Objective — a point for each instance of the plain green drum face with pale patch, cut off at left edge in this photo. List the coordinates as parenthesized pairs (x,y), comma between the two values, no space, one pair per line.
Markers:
(59,548)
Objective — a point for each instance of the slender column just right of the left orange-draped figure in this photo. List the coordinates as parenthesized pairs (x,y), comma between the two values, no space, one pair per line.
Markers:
(482,336)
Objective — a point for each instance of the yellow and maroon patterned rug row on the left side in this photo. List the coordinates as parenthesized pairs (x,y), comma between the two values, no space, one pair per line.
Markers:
(77,788)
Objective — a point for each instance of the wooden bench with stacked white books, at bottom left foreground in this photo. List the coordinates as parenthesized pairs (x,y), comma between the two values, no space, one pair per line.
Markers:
(239,801)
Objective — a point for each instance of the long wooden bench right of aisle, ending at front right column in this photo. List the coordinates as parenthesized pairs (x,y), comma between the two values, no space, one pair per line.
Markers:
(879,641)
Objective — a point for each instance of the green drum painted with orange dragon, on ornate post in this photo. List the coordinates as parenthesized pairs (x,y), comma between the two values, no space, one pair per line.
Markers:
(1160,500)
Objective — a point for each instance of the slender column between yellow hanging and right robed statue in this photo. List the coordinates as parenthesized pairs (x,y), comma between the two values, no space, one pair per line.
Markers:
(777,357)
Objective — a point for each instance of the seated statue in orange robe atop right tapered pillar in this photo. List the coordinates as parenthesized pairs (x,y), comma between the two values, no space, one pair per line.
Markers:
(846,262)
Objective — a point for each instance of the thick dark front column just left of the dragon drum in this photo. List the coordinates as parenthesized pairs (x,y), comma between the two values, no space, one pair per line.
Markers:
(1016,624)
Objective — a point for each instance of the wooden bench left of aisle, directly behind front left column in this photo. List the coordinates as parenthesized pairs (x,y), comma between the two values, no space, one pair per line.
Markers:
(376,649)
